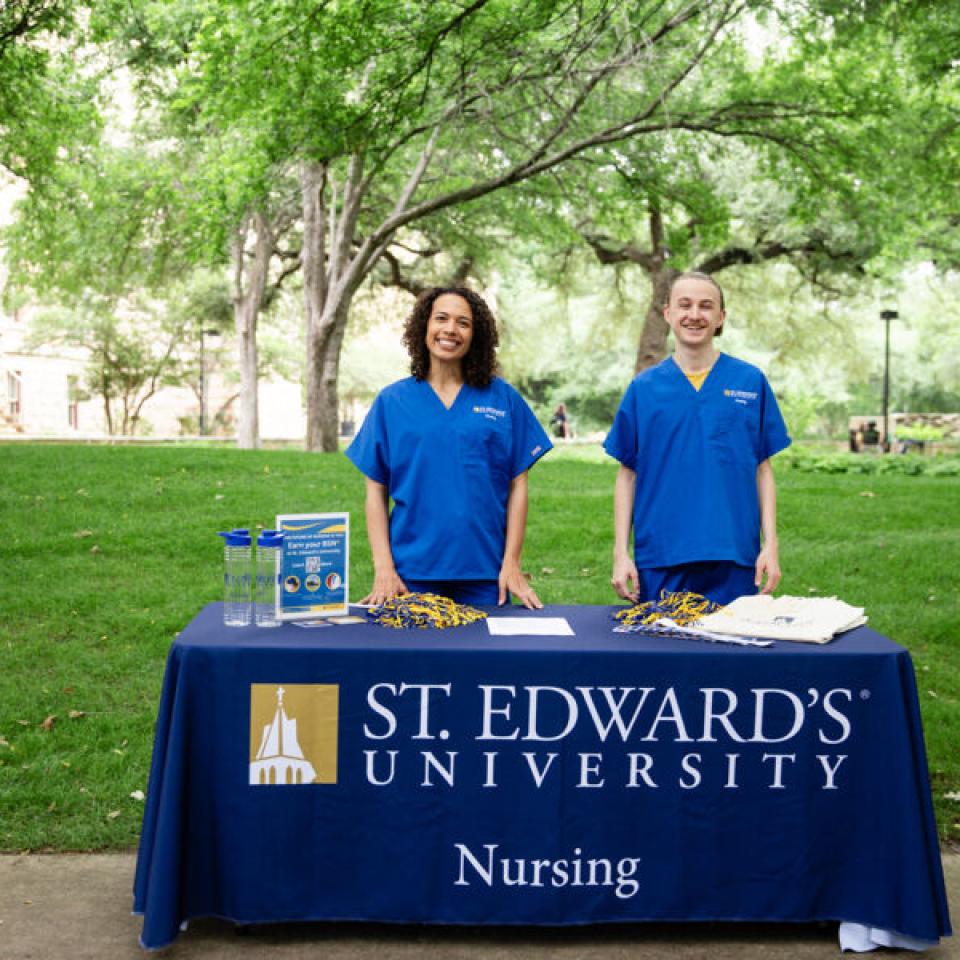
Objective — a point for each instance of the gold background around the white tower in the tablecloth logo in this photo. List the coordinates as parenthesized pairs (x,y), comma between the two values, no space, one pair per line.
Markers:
(315,707)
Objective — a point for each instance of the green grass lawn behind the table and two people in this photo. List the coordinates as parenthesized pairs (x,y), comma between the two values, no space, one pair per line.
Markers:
(109,551)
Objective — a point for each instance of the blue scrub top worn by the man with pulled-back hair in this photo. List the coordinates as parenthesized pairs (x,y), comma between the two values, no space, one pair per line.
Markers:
(696,454)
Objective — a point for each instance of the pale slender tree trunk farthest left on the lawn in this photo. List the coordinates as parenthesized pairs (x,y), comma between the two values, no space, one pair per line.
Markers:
(249,287)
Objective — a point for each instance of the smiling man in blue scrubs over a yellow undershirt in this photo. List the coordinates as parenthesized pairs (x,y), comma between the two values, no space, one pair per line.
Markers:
(694,436)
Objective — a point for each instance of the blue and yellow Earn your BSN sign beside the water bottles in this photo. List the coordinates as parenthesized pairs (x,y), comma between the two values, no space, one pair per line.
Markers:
(315,565)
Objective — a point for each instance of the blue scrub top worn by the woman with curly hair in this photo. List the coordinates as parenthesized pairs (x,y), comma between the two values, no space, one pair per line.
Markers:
(448,473)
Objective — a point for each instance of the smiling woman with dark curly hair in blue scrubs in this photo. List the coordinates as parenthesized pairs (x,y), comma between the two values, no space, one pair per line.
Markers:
(451,446)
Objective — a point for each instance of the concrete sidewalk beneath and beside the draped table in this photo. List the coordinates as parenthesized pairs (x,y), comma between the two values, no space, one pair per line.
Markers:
(77,907)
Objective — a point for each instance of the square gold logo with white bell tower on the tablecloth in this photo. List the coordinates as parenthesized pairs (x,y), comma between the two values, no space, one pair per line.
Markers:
(293,733)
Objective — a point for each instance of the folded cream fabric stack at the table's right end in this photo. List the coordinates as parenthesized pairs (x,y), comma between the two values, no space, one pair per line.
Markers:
(805,619)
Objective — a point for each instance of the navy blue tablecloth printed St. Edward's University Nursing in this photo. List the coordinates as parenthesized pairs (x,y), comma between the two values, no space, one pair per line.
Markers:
(355,772)
